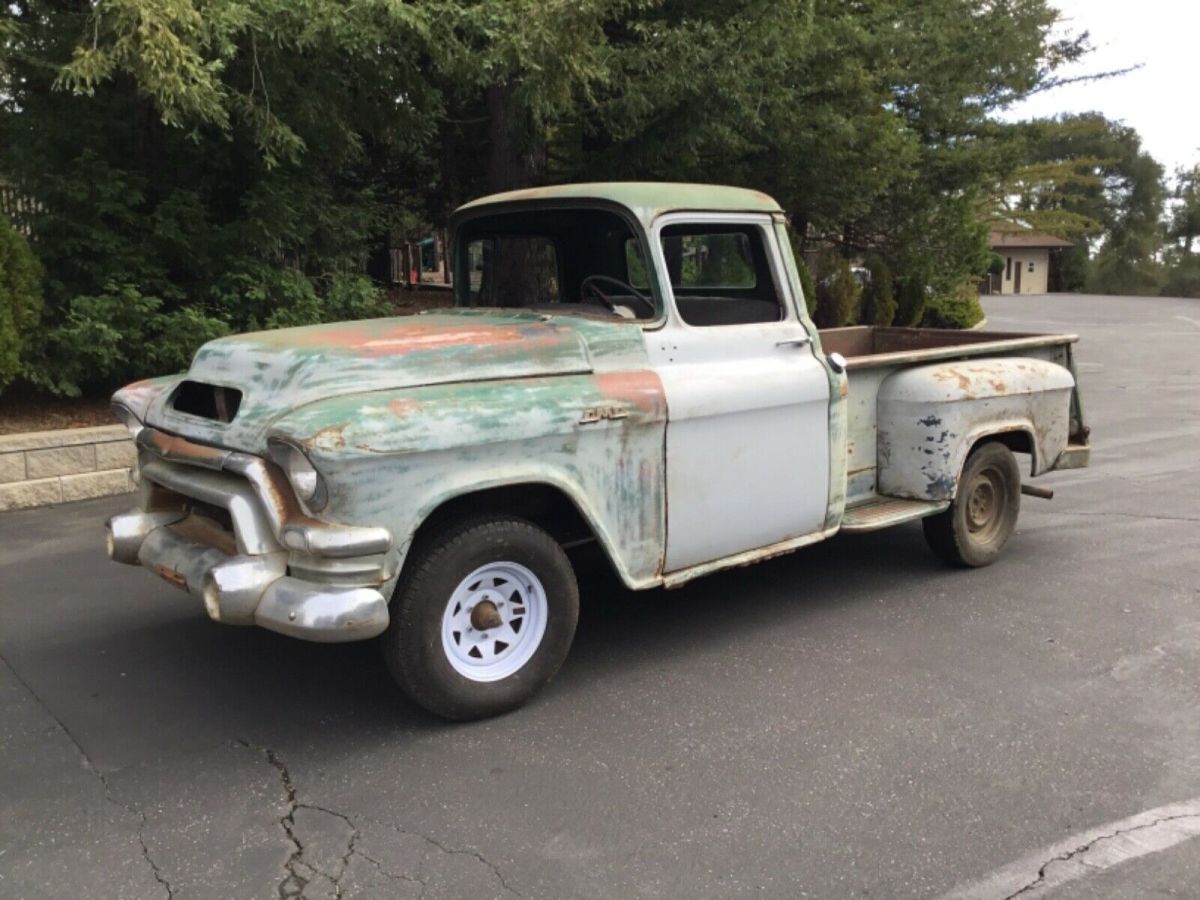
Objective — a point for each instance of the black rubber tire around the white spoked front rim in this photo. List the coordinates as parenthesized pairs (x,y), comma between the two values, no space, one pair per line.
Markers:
(413,644)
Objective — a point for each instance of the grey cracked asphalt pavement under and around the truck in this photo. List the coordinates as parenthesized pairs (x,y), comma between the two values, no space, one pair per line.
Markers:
(851,721)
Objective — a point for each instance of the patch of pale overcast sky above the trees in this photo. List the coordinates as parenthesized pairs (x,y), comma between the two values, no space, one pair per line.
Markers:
(1159,100)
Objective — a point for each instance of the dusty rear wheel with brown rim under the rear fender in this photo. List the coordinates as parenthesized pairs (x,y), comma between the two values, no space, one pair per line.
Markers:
(983,517)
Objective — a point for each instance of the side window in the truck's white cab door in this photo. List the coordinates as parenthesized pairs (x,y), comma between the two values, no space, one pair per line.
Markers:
(721,274)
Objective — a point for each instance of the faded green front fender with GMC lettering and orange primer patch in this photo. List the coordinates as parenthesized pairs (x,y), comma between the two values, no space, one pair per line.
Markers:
(392,458)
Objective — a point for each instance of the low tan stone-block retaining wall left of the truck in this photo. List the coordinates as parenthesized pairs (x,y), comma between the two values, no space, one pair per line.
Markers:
(46,467)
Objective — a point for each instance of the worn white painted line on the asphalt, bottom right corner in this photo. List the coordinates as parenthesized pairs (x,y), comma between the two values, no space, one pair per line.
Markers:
(1088,854)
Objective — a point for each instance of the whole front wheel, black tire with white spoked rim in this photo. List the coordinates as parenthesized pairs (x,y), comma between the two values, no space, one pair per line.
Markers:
(483,617)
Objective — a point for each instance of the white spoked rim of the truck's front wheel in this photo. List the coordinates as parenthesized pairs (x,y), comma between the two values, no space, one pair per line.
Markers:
(519,602)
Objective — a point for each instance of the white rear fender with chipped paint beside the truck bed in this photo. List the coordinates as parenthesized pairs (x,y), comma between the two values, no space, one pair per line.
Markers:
(931,417)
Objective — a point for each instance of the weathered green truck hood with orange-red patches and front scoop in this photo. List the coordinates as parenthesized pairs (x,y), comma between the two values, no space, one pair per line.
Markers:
(280,371)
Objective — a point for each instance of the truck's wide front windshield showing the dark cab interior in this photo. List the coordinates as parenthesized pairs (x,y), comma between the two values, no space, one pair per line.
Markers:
(562,261)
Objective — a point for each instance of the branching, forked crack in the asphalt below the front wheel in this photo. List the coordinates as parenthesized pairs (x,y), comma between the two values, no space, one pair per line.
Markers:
(301,872)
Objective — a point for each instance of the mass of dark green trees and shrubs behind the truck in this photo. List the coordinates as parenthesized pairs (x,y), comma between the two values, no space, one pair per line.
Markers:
(193,167)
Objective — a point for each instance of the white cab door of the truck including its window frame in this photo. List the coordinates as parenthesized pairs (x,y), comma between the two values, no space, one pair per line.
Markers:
(748,431)
